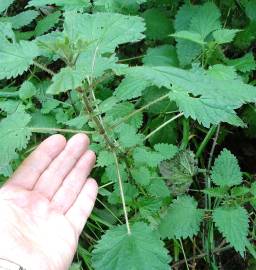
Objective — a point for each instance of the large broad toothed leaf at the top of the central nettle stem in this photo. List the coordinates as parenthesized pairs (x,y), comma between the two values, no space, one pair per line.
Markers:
(104,31)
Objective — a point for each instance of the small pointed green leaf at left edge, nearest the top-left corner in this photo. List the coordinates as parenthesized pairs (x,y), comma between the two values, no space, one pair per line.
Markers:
(22,19)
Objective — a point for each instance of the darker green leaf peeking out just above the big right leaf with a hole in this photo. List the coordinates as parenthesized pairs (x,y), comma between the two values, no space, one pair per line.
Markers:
(164,55)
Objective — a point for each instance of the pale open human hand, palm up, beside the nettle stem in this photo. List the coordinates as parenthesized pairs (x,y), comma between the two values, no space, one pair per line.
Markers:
(46,203)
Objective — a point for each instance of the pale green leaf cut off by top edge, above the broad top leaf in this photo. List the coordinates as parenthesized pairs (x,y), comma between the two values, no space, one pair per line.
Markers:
(66,4)
